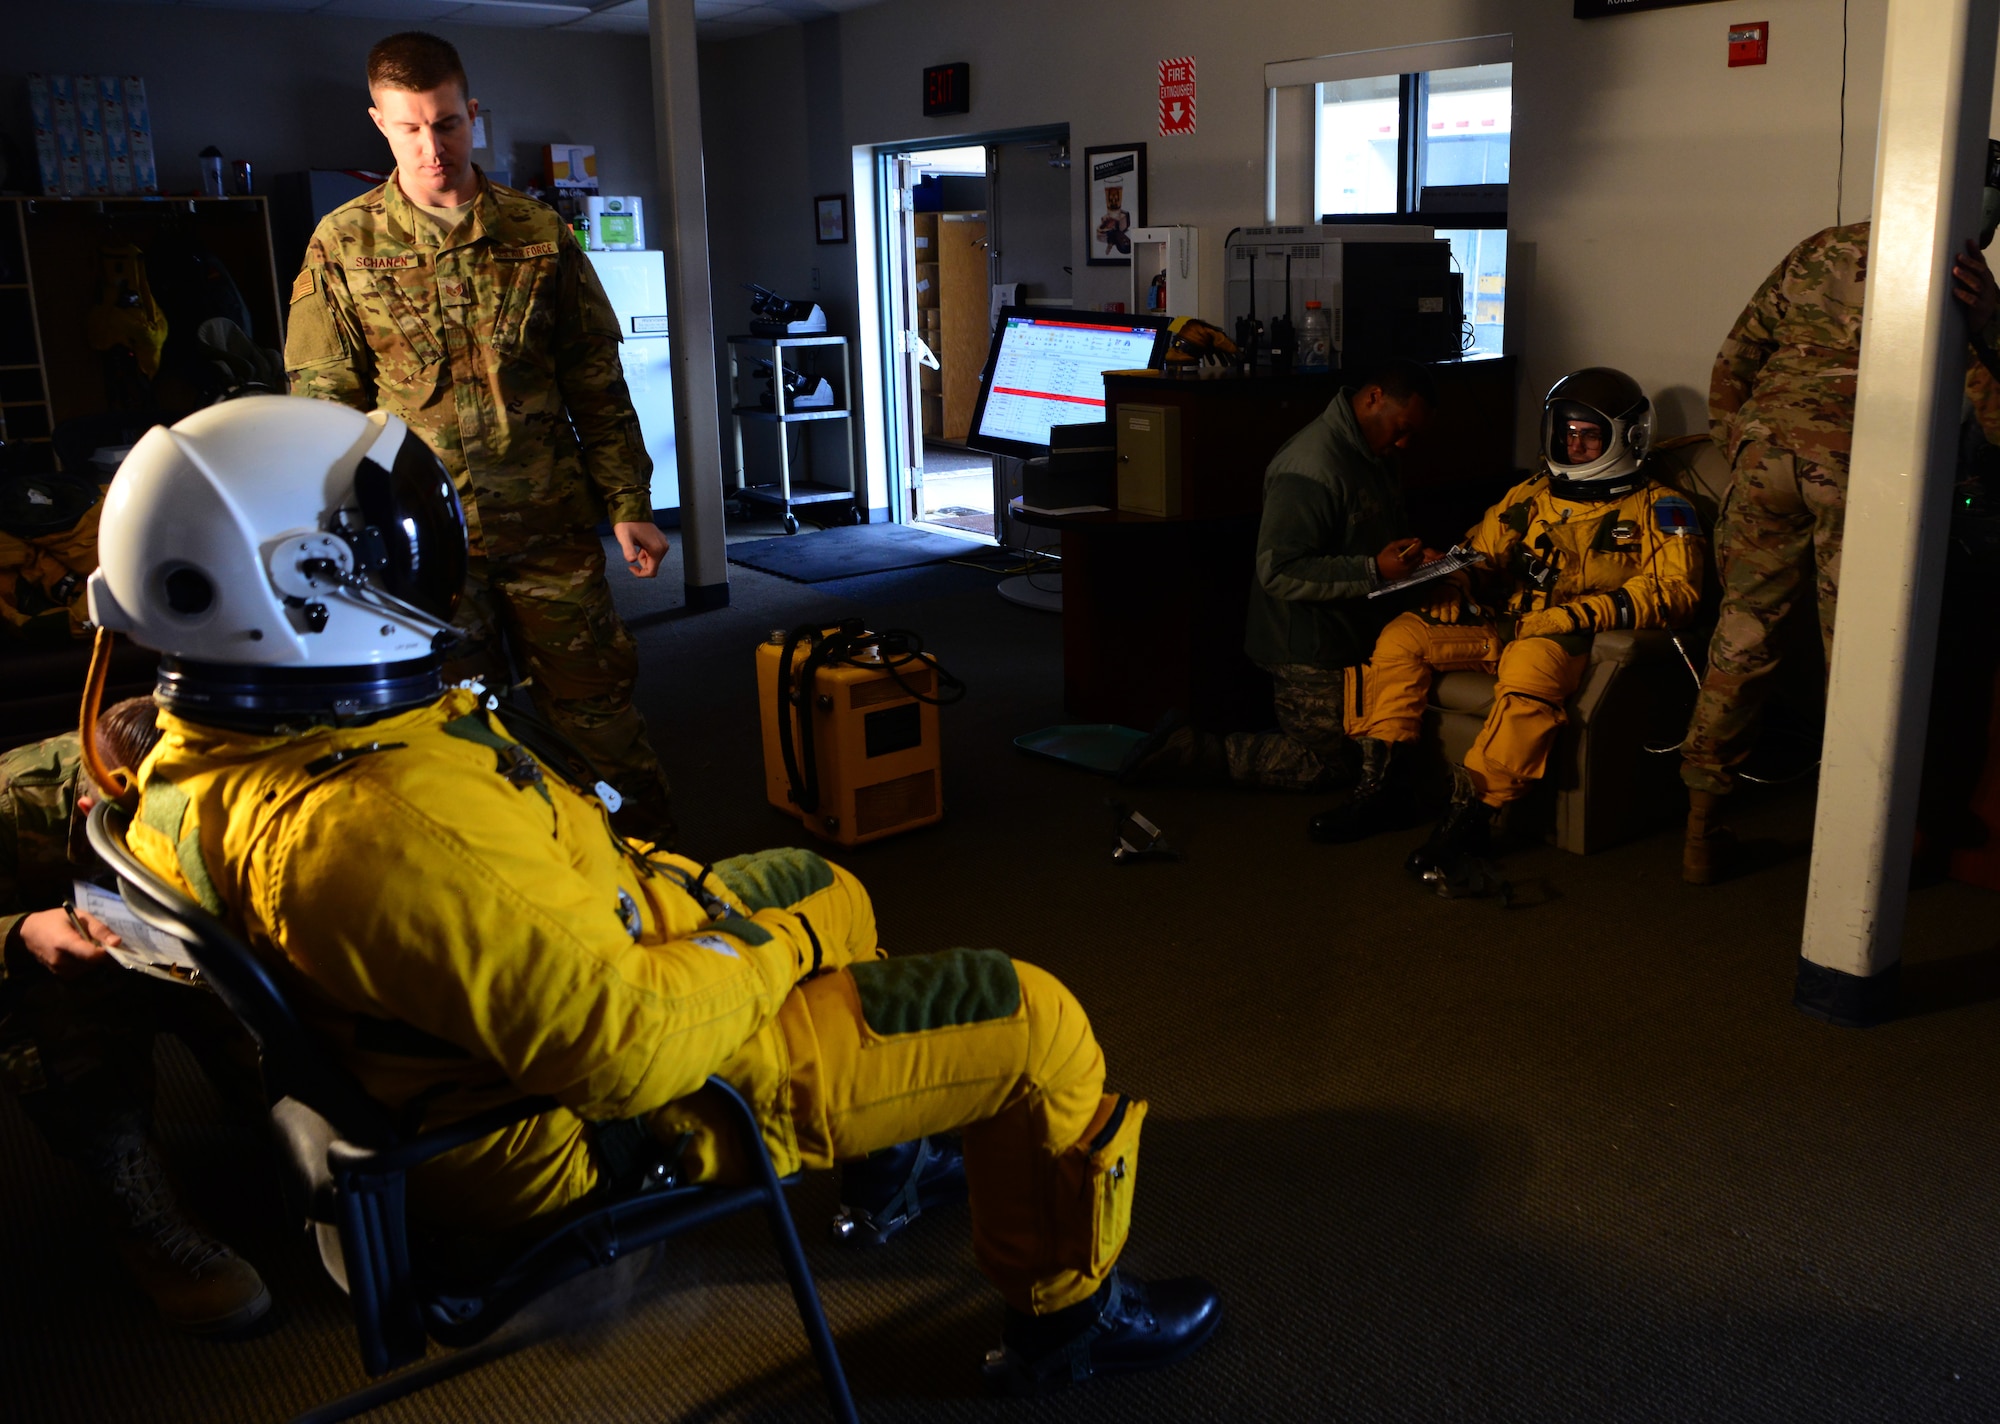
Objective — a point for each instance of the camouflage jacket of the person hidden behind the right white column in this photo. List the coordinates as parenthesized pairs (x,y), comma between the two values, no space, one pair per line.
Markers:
(1789,369)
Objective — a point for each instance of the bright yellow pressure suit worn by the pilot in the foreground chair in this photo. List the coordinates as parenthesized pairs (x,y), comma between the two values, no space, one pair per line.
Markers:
(467,929)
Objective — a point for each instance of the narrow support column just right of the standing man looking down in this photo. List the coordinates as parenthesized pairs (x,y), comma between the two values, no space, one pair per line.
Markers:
(677,107)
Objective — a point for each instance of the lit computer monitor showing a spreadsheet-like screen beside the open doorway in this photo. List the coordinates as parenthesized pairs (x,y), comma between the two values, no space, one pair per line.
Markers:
(1047,369)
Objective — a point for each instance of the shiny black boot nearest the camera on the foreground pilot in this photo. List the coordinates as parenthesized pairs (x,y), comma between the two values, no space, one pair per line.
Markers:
(1125,1329)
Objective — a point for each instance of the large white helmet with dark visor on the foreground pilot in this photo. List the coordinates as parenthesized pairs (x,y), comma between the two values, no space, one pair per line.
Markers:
(289,557)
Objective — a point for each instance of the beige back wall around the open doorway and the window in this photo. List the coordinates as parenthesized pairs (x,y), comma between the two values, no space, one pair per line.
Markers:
(1653,185)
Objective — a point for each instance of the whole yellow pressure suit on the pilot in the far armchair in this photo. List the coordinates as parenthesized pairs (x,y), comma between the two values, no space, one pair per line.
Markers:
(1561,571)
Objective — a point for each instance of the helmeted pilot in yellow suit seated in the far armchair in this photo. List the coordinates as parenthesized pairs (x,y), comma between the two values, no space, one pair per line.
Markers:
(1585,547)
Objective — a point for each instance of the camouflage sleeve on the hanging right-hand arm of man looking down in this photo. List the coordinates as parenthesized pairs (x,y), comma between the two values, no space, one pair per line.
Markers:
(593,389)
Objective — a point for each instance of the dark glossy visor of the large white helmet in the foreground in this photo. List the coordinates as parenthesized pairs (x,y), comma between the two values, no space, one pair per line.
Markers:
(415,531)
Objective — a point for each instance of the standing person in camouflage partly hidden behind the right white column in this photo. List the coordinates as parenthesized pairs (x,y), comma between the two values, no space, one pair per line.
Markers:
(1781,405)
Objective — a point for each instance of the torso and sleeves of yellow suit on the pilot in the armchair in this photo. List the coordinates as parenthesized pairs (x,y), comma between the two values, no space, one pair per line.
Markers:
(1631,561)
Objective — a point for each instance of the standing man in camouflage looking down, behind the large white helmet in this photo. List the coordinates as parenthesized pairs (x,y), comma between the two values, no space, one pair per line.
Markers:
(471,313)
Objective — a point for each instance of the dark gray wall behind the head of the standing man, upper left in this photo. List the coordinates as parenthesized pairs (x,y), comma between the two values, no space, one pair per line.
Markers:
(287,91)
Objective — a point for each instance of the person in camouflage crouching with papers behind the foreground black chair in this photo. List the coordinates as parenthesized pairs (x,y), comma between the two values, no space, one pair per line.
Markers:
(77,1033)
